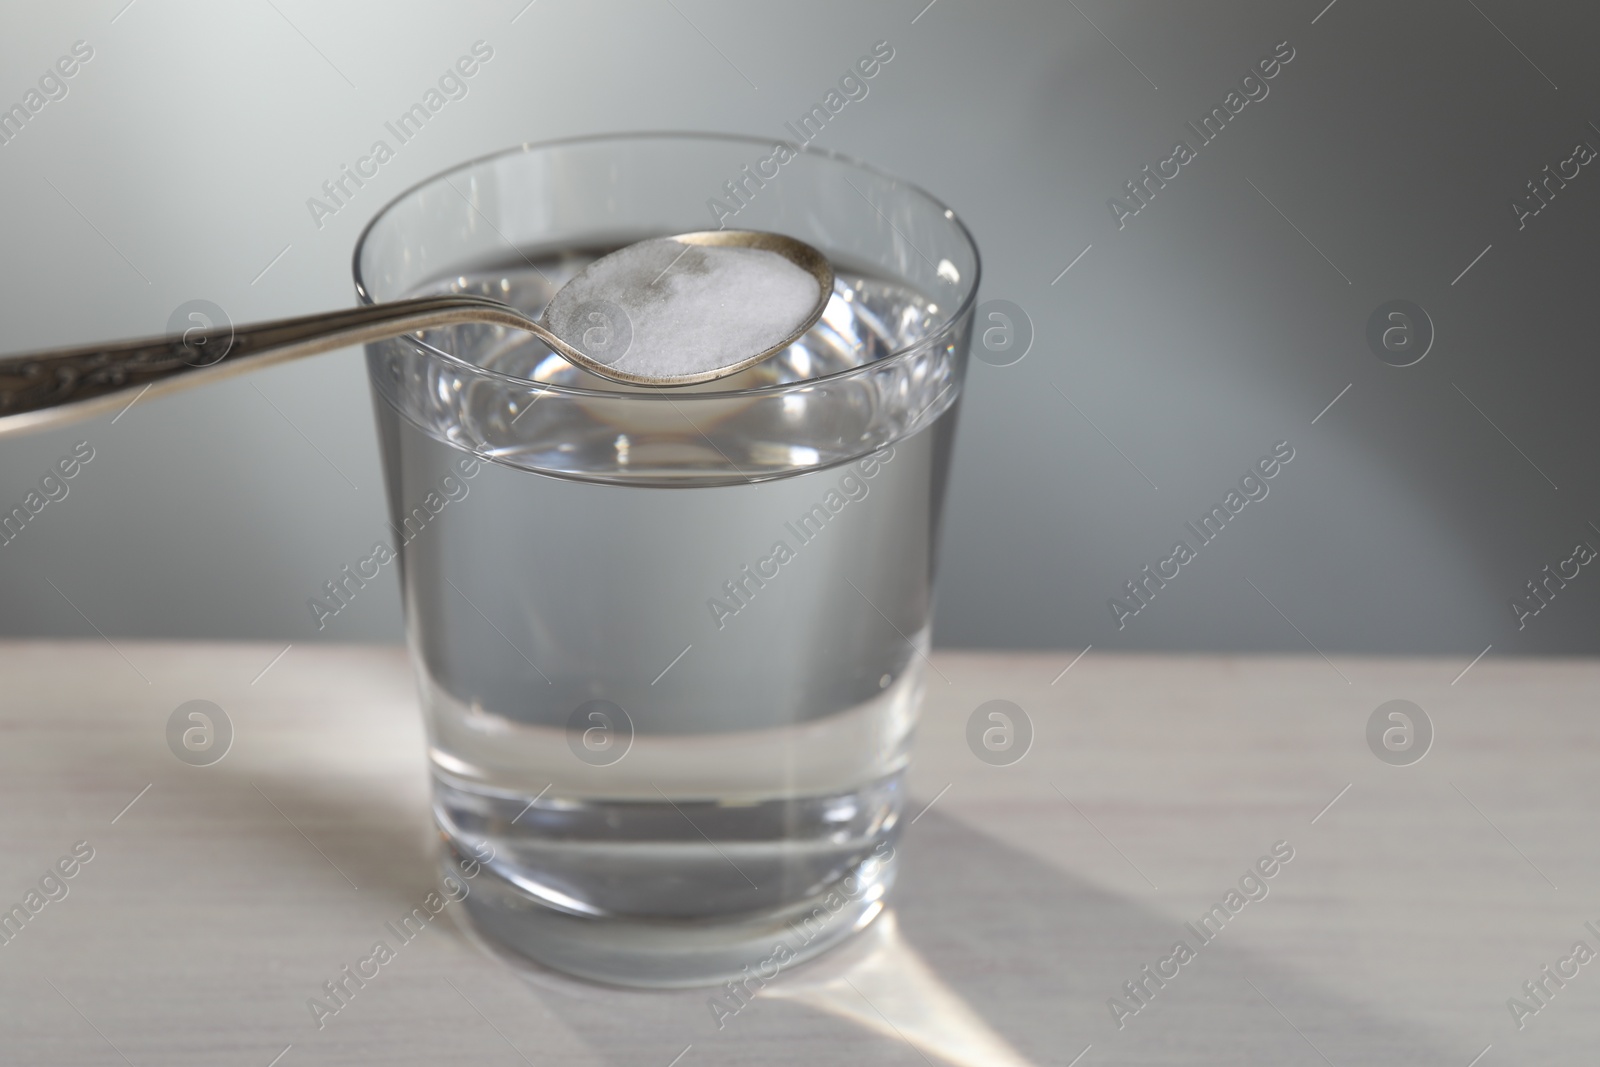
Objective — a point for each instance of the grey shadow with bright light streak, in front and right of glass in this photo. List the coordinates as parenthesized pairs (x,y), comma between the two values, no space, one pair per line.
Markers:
(993,959)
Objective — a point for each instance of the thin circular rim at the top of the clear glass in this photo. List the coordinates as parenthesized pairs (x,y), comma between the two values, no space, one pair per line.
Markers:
(364,295)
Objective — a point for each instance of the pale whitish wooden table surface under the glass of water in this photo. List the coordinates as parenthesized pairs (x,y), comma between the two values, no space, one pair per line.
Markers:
(1418,900)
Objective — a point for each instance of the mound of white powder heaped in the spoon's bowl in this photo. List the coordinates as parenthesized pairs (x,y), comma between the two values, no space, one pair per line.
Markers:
(662,310)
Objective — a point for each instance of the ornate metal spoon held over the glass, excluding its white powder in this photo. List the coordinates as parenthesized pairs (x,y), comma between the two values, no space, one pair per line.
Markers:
(41,390)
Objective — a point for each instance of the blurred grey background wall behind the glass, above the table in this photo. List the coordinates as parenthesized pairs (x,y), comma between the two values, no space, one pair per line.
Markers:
(1210,329)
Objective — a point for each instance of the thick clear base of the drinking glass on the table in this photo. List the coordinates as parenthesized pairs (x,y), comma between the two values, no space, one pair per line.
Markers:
(673,954)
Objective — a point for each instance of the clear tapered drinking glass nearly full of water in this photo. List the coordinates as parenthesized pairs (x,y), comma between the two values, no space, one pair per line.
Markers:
(670,644)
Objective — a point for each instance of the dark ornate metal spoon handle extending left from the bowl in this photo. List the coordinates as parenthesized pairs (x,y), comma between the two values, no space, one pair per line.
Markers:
(41,390)
